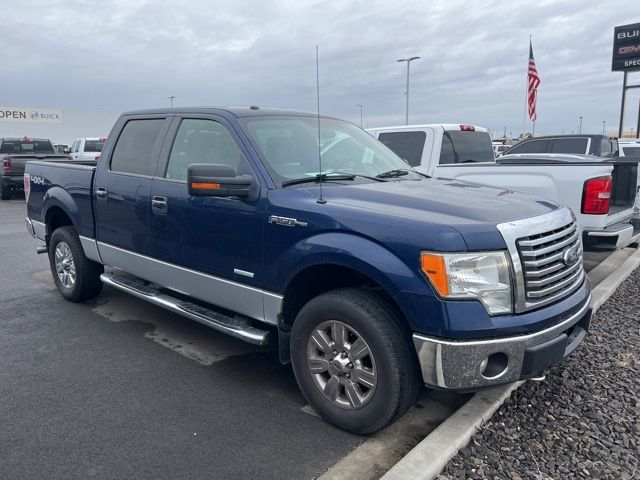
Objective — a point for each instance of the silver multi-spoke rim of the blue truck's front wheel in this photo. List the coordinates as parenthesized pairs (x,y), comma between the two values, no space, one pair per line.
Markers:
(342,365)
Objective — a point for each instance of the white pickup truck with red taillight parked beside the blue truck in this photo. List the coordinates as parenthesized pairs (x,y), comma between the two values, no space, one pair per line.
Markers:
(601,192)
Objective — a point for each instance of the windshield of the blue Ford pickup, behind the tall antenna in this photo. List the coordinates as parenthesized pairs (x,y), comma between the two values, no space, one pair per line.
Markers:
(289,148)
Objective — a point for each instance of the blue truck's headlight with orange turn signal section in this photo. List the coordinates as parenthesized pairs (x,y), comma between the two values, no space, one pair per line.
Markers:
(483,276)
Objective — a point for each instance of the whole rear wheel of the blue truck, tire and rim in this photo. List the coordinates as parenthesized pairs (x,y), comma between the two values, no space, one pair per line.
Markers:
(76,277)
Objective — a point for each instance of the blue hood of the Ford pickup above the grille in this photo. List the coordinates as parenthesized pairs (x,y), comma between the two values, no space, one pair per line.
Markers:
(472,209)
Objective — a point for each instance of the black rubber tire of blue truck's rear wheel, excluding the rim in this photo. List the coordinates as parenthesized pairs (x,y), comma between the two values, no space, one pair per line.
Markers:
(87,283)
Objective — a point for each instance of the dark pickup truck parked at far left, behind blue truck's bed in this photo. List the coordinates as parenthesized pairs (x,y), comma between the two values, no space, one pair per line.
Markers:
(15,152)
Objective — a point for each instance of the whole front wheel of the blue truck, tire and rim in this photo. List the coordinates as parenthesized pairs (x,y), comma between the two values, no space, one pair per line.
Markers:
(353,360)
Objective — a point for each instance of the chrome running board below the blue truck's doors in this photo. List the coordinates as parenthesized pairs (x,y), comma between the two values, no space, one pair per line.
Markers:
(237,326)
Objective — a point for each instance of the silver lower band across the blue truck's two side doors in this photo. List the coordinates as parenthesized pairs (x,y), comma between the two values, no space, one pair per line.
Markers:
(237,297)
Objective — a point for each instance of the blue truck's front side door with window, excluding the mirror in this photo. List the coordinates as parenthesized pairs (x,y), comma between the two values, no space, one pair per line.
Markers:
(206,242)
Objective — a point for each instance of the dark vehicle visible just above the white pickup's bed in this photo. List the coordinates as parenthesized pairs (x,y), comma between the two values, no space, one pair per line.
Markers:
(598,145)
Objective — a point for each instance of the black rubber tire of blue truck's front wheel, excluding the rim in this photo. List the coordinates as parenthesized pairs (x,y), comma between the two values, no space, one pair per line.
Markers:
(396,366)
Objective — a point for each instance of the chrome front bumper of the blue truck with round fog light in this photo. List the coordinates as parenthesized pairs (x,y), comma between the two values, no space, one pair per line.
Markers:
(477,364)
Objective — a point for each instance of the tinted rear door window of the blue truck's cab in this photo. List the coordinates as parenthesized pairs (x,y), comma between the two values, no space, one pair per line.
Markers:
(134,149)
